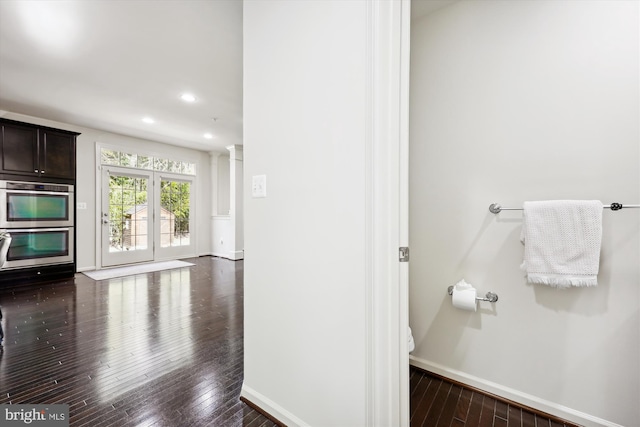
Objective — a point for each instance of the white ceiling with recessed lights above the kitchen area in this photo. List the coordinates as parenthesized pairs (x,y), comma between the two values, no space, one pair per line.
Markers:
(106,64)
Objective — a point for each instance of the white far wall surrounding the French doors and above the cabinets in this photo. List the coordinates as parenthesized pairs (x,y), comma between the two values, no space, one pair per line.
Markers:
(86,182)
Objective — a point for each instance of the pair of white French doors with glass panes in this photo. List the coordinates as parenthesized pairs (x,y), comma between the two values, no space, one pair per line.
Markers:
(146,216)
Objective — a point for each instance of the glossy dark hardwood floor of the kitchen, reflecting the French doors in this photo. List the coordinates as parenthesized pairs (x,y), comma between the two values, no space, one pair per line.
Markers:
(162,348)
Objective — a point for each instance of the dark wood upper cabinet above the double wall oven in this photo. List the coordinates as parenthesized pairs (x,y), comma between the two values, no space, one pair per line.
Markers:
(39,152)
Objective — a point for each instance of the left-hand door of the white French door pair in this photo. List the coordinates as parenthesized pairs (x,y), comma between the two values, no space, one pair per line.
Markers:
(127,218)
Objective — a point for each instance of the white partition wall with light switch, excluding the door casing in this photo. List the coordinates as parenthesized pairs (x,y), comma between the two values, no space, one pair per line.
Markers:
(304,128)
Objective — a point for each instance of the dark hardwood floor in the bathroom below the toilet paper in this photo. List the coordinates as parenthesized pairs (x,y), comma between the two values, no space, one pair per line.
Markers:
(436,401)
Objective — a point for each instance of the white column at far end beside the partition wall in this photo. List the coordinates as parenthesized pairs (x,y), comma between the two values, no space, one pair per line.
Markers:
(236,212)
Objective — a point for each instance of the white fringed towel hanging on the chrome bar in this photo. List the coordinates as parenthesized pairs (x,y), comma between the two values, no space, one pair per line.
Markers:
(562,242)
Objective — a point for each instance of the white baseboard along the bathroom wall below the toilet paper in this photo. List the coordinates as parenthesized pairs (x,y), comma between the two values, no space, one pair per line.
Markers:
(512,394)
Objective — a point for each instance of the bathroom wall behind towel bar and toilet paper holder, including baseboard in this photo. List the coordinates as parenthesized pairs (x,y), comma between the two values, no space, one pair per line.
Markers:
(515,101)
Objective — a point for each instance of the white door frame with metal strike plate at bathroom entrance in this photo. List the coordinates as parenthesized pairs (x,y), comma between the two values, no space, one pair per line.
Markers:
(387,400)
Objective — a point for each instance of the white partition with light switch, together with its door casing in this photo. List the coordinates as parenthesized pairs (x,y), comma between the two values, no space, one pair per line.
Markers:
(320,345)
